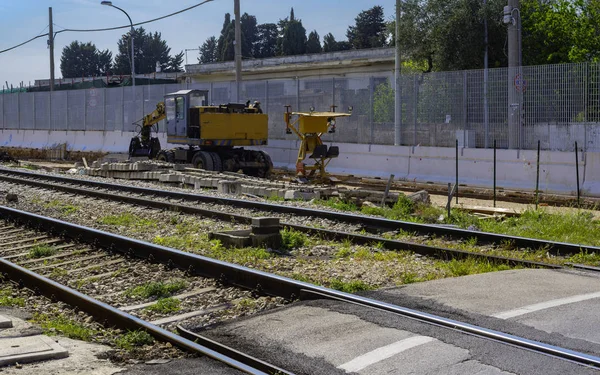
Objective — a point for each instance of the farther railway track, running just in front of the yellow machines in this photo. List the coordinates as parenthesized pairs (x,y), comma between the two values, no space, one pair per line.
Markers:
(205,205)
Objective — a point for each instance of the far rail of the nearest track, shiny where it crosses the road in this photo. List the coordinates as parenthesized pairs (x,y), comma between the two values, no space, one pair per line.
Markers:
(267,283)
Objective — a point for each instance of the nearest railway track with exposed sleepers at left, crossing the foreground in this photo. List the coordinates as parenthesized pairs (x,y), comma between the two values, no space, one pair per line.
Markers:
(78,249)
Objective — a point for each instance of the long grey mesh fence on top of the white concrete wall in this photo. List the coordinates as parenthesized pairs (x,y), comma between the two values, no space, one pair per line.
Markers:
(554,104)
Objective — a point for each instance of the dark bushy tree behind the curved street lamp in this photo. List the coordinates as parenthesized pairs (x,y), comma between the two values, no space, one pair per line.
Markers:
(150,49)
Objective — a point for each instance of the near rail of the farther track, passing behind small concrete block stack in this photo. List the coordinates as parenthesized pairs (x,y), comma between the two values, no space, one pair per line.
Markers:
(433,251)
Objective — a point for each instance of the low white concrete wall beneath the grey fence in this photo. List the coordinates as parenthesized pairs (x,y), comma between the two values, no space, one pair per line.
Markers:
(516,169)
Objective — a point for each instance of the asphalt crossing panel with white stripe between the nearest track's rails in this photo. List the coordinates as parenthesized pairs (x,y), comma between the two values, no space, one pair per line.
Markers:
(353,345)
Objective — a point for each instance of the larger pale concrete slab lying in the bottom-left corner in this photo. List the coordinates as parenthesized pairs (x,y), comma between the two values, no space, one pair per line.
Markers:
(29,349)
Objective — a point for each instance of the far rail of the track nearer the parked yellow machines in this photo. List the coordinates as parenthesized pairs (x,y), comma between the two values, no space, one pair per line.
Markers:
(558,248)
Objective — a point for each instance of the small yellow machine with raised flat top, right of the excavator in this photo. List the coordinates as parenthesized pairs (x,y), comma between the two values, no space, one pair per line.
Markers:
(308,127)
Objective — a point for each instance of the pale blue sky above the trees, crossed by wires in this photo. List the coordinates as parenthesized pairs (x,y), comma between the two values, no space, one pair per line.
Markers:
(21,20)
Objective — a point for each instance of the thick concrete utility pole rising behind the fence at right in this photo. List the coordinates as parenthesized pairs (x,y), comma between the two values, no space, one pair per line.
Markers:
(516,82)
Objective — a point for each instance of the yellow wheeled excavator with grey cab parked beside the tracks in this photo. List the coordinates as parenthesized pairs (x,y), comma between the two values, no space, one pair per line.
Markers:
(213,134)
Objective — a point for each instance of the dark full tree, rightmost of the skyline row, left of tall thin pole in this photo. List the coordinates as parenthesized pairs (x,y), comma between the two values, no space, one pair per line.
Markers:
(370,29)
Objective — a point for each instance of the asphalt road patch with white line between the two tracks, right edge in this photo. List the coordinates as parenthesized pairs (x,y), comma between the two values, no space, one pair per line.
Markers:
(553,301)
